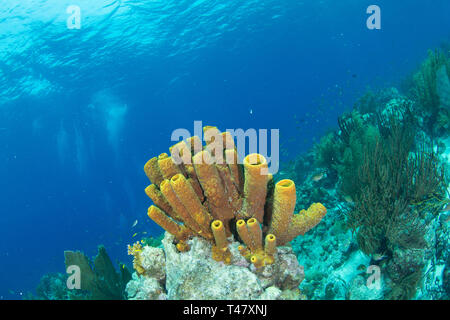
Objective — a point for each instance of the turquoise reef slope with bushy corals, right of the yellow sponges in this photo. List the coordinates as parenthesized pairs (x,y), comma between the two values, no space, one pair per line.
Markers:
(400,224)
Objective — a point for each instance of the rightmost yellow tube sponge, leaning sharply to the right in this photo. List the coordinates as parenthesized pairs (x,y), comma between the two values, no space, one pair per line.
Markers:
(304,221)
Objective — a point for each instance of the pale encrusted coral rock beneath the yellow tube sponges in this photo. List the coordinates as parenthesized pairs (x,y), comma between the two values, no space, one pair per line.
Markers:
(195,275)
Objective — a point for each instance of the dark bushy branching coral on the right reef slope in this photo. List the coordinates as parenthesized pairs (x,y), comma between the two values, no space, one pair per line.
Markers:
(396,190)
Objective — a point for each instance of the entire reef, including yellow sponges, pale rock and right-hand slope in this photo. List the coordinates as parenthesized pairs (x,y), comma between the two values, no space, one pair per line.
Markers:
(231,230)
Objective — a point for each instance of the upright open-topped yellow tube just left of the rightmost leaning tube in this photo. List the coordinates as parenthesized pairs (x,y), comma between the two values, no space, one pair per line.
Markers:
(283,206)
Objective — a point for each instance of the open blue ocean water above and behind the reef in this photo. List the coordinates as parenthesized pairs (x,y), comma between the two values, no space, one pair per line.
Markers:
(82,110)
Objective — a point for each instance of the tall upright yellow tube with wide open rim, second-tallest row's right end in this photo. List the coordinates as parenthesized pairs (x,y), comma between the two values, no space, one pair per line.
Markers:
(255,186)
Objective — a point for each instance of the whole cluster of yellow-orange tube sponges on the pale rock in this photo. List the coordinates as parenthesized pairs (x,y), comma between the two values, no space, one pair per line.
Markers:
(204,191)
